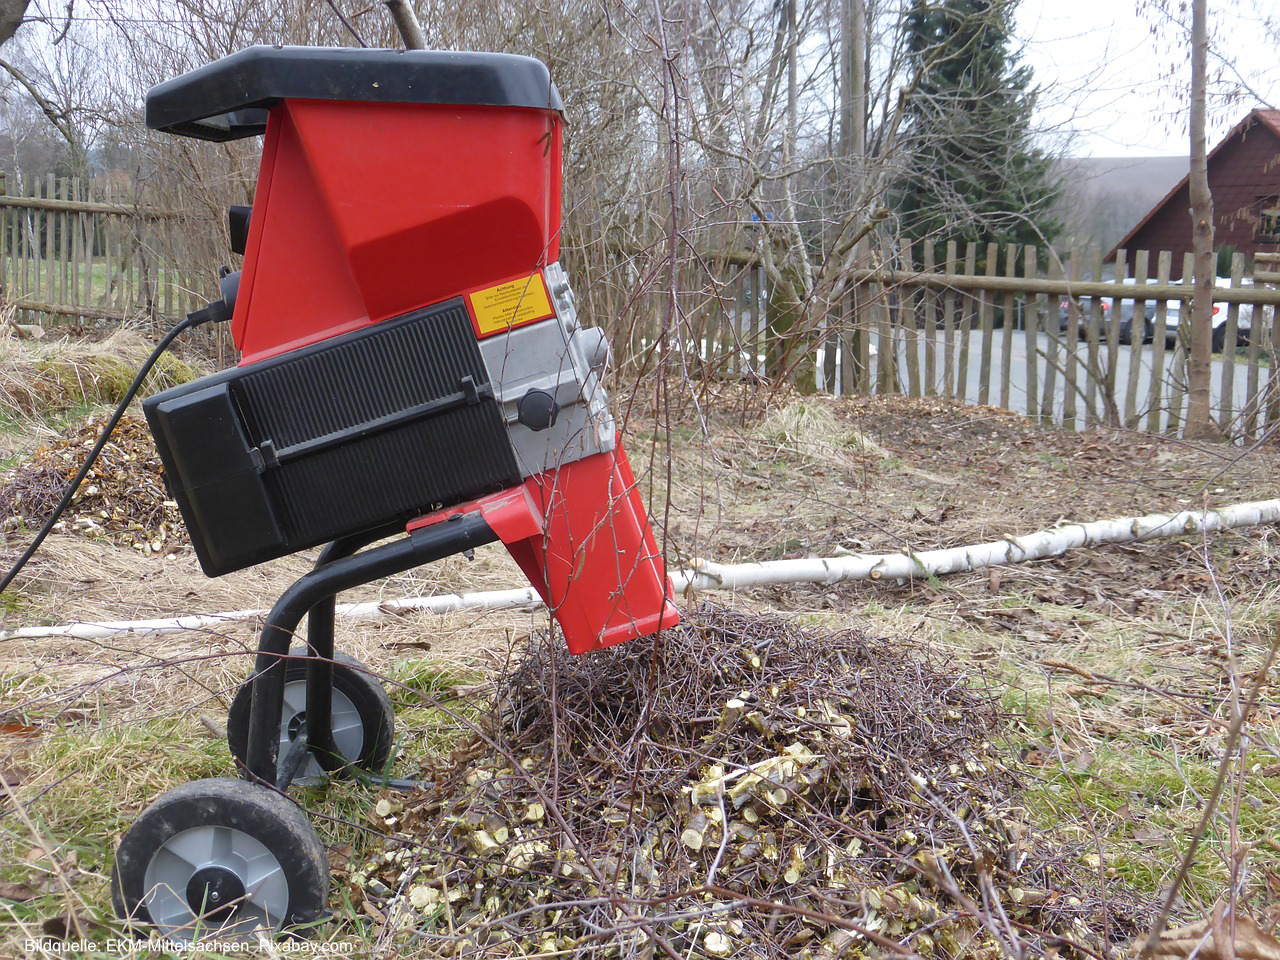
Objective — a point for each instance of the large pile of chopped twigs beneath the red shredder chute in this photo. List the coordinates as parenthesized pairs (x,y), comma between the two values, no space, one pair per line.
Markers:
(743,788)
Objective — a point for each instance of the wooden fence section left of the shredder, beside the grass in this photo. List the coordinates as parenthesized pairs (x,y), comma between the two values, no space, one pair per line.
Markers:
(90,253)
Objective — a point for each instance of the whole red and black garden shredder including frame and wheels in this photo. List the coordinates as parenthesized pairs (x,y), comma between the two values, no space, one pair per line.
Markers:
(413,368)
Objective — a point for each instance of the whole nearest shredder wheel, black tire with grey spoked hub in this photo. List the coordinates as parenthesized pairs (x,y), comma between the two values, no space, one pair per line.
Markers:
(221,860)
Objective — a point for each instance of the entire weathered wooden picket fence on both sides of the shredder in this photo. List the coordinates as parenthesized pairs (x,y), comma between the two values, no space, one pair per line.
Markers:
(1013,327)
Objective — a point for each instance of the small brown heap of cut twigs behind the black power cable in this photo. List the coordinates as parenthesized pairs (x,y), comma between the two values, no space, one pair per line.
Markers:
(124,497)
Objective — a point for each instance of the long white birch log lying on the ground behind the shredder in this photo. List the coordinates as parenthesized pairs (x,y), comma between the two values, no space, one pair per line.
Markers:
(737,577)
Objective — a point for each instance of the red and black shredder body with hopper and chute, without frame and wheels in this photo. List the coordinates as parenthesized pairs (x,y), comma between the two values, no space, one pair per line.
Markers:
(412,346)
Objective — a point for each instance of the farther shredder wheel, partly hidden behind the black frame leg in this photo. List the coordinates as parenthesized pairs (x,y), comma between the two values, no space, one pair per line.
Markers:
(364,723)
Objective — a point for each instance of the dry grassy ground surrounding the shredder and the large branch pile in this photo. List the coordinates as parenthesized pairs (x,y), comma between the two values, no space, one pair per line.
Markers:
(1117,666)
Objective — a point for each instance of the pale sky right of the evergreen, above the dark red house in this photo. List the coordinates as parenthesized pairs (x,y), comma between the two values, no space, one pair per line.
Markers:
(1114,77)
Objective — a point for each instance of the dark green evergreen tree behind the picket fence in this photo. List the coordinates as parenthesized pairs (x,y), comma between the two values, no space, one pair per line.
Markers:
(973,170)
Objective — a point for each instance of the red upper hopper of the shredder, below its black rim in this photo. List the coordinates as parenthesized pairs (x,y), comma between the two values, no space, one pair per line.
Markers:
(367,217)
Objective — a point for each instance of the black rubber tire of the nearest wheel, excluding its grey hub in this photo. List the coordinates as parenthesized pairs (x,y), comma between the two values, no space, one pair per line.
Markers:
(222,802)
